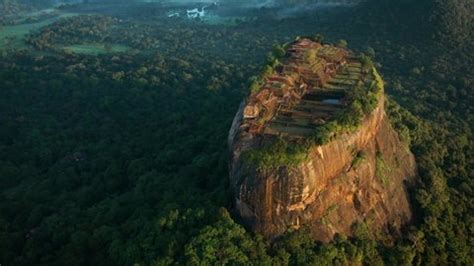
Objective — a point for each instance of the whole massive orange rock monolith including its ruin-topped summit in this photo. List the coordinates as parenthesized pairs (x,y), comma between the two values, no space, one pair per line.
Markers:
(357,177)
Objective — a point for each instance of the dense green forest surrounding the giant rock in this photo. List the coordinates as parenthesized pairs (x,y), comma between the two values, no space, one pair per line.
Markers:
(114,124)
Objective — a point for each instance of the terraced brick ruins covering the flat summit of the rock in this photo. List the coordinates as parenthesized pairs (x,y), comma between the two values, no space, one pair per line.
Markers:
(307,89)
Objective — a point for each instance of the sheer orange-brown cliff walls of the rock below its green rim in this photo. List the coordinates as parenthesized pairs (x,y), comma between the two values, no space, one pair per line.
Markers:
(356,178)
